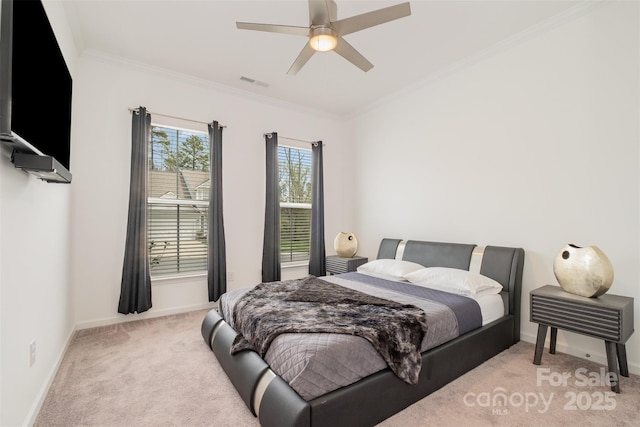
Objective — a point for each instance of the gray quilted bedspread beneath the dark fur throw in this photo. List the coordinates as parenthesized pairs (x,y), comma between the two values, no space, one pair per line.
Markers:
(315,363)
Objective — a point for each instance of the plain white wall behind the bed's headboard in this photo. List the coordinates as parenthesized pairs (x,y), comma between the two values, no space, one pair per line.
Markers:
(535,147)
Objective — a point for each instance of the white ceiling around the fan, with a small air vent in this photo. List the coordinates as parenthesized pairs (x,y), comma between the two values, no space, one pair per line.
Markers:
(199,39)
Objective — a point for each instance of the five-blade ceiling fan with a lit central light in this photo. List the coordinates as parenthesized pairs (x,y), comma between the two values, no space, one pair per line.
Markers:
(325,31)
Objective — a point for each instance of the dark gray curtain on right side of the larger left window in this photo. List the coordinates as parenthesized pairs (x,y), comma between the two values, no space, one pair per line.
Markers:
(217,274)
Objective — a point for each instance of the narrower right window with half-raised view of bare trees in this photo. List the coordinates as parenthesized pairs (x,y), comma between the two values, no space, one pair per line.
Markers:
(295,203)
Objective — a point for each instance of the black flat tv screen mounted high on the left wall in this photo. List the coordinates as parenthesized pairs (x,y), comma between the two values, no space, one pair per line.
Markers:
(39,102)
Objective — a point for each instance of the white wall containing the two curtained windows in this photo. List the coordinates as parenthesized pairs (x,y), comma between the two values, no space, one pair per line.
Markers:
(105,90)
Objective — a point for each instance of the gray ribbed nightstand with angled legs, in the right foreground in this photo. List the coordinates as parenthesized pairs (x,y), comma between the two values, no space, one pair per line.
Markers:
(608,317)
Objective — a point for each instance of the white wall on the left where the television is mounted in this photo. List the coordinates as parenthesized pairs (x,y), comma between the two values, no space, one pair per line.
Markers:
(35,290)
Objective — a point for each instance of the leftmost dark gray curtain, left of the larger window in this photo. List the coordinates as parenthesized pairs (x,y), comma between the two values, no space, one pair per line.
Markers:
(135,291)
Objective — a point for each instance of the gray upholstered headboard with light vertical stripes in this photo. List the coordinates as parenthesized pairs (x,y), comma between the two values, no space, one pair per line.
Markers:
(502,264)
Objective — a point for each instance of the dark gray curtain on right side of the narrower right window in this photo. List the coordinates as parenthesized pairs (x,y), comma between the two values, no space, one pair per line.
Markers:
(317,259)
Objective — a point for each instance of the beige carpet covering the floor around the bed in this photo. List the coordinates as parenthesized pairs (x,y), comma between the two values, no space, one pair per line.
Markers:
(159,372)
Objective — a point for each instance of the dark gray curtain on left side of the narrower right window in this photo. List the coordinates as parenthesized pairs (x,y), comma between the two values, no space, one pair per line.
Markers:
(271,243)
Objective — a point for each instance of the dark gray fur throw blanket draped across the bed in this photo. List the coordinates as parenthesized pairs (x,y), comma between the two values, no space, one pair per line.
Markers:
(313,305)
